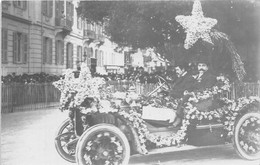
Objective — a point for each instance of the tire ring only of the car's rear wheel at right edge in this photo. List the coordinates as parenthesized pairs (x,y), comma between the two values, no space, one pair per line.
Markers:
(235,139)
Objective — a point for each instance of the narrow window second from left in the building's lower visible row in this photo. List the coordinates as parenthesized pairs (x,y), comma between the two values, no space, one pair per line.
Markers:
(47,50)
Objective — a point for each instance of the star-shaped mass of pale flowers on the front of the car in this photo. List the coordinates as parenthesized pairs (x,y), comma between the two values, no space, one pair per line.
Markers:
(74,91)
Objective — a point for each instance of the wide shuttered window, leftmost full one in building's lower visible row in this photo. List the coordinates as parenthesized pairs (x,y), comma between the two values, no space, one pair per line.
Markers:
(20,47)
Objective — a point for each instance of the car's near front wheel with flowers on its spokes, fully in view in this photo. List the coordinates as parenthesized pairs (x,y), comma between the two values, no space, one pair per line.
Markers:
(103,144)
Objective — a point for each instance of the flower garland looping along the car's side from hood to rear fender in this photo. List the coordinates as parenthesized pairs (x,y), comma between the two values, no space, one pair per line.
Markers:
(226,113)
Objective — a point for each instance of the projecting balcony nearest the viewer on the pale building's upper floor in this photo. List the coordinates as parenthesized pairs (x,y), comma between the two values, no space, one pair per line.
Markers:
(63,25)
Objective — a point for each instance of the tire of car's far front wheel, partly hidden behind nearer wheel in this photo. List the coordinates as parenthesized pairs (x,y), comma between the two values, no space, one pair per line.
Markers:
(58,147)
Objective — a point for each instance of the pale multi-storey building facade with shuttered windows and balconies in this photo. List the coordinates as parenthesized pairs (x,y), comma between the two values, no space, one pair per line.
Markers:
(48,36)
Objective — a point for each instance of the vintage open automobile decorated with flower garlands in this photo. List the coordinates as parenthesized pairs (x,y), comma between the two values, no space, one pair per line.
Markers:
(108,130)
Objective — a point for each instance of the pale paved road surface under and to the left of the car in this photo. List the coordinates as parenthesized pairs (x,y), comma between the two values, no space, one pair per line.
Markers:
(27,139)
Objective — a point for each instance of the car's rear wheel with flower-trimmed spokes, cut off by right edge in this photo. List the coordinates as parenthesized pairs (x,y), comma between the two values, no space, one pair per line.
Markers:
(246,137)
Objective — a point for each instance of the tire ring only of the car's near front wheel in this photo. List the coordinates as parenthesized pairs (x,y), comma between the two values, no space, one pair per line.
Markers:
(97,128)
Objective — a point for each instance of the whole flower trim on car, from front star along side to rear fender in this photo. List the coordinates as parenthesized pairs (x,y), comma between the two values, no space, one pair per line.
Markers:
(76,90)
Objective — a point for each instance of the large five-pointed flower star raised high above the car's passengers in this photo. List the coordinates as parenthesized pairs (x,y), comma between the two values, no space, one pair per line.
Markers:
(196,26)
